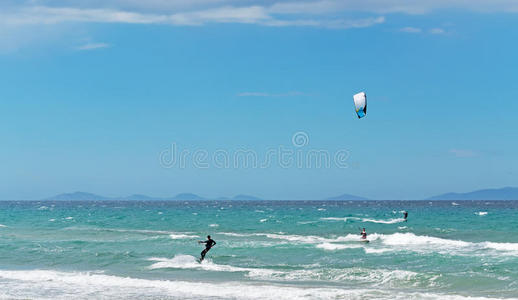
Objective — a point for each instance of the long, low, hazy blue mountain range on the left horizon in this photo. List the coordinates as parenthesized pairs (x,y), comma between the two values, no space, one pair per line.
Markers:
(82,196)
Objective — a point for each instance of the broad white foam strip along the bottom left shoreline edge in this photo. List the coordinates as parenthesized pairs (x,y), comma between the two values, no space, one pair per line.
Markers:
(44,284)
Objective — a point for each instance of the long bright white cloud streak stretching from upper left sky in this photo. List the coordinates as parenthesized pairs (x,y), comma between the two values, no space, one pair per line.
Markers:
(41,15)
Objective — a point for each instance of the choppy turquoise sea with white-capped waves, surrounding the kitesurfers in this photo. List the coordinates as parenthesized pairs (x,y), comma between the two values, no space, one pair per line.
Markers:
(265,250)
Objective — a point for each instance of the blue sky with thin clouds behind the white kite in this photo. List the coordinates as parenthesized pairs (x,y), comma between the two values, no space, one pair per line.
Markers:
(160,97)
